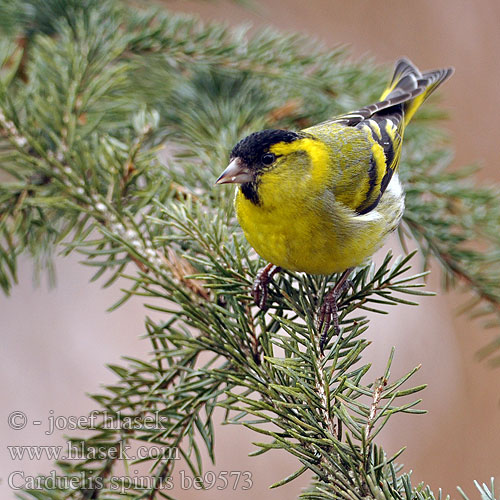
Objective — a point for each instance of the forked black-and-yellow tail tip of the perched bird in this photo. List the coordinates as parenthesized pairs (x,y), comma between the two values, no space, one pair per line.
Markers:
(409,82)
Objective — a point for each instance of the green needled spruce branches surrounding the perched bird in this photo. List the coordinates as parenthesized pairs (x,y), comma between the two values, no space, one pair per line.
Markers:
(112,137)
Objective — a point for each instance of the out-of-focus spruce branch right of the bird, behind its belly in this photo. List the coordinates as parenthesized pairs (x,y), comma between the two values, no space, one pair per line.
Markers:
(456,222)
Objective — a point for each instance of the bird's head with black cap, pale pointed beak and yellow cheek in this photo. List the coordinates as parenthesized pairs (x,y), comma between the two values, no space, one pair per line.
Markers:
(271,154)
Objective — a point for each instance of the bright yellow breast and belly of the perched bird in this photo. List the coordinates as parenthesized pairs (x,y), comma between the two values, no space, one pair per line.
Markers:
(303,234)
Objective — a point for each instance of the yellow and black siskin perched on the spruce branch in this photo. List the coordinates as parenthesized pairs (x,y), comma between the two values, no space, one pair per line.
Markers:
(323,199)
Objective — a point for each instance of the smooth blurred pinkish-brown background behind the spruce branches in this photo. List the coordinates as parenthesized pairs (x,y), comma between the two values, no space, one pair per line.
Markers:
(55,343)
